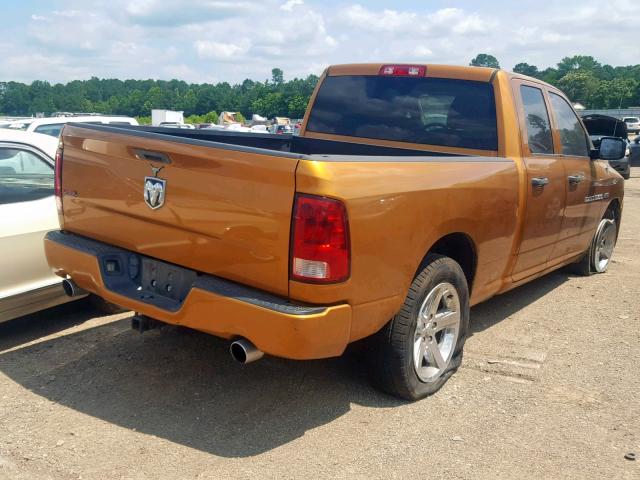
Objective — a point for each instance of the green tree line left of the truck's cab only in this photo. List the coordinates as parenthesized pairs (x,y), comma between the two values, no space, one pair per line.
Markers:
(137,97)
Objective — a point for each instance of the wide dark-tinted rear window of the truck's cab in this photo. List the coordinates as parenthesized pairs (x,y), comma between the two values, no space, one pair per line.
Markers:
(454,113)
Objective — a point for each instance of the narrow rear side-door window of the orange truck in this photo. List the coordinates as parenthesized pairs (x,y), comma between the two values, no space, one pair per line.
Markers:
(537,120)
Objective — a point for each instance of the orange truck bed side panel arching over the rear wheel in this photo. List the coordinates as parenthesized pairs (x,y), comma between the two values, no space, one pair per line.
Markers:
(397,210)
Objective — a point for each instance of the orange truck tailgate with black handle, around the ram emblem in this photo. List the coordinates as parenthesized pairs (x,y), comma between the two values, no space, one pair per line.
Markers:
(226,211)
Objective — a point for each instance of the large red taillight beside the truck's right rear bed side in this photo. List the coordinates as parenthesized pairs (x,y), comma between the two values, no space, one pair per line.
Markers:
(320,250)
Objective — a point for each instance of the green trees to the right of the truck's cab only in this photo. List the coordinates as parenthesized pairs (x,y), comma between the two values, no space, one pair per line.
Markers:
(583,79)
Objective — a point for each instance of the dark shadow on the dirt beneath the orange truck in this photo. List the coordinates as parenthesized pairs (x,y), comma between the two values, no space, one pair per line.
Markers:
(183,386)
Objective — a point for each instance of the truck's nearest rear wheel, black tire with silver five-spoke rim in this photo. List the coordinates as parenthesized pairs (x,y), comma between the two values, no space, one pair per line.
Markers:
(421,347)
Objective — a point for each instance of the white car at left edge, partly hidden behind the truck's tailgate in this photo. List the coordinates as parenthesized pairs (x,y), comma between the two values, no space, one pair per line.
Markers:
(27,212)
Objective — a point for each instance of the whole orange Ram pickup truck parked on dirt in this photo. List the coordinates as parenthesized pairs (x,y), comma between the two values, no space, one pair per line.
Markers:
(411,193)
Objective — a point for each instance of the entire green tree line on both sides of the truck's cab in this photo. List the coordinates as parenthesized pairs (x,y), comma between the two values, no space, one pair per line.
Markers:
(582,78)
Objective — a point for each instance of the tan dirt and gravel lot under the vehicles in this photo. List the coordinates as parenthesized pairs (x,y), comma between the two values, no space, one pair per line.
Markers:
(549,388)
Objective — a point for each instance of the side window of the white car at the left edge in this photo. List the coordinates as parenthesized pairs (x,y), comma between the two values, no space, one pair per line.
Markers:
(24,176)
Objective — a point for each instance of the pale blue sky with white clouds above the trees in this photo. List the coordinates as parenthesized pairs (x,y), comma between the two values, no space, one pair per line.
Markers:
(230,40)
